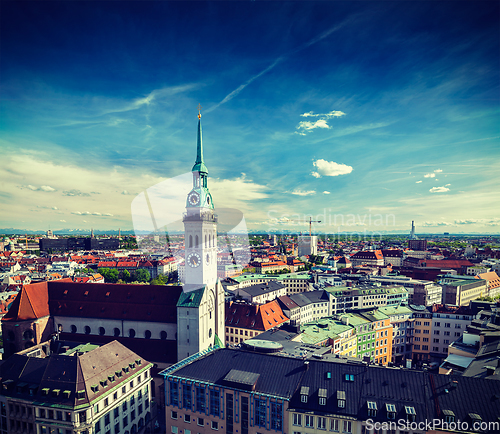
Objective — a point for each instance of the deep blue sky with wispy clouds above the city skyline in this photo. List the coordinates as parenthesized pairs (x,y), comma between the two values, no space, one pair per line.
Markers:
(362,115)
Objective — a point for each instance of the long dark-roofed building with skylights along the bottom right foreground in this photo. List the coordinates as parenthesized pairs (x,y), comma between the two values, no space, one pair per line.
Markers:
(237,391)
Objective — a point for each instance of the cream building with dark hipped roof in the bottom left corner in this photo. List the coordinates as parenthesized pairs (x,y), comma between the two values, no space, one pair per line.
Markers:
(63,388)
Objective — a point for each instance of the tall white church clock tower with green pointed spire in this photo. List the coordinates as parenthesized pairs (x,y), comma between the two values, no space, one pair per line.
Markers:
(200,310)
